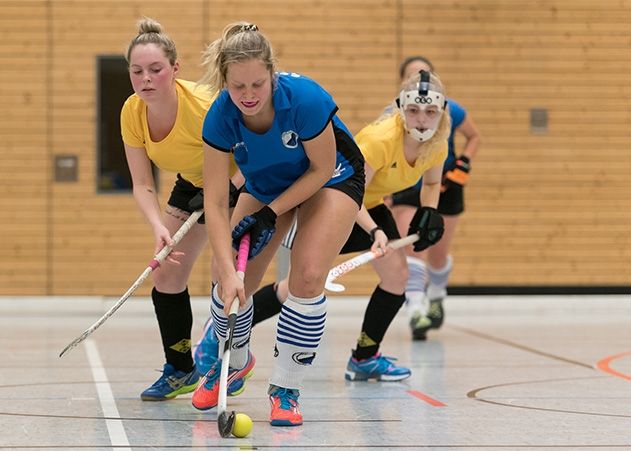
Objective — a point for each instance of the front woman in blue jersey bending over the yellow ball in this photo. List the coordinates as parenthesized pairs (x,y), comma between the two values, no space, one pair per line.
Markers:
(296,156)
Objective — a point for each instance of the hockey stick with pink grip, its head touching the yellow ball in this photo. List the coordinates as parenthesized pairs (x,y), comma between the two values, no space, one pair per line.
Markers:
(225,421)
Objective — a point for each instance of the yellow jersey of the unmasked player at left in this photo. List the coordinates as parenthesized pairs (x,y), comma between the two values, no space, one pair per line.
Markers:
(181,150)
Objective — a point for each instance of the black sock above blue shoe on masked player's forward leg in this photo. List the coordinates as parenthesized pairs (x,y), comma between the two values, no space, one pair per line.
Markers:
(381,310)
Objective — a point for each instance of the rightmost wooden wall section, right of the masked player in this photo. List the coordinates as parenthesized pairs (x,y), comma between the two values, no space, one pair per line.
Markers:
(541,209)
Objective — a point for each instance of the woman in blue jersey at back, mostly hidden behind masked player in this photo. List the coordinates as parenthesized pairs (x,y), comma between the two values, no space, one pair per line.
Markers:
(435,263)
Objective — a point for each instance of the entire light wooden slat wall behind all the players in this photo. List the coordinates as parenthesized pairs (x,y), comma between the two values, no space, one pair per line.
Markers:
(541,209)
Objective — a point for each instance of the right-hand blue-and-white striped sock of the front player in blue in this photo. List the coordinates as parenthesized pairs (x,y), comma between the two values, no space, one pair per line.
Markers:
(300,328)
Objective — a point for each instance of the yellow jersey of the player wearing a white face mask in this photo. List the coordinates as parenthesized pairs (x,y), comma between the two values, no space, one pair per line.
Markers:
(381,143)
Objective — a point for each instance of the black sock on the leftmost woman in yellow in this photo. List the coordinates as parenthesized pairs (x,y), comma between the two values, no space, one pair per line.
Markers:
(175,319)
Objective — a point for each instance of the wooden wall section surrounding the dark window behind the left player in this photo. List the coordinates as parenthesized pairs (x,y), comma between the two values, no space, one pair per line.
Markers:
(101,242)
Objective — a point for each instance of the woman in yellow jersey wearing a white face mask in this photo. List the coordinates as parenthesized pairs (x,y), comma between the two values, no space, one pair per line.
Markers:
(405,144)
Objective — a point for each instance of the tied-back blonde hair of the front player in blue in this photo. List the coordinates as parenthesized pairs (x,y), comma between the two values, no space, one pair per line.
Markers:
(239,41)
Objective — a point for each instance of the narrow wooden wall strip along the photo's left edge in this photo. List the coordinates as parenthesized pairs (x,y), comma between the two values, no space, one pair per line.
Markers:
(25,158)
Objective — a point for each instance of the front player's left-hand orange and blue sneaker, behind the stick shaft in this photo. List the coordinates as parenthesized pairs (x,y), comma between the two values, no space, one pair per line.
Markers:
(206,395)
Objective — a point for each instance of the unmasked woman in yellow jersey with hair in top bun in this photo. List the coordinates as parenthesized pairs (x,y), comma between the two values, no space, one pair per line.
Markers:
(162,123)
